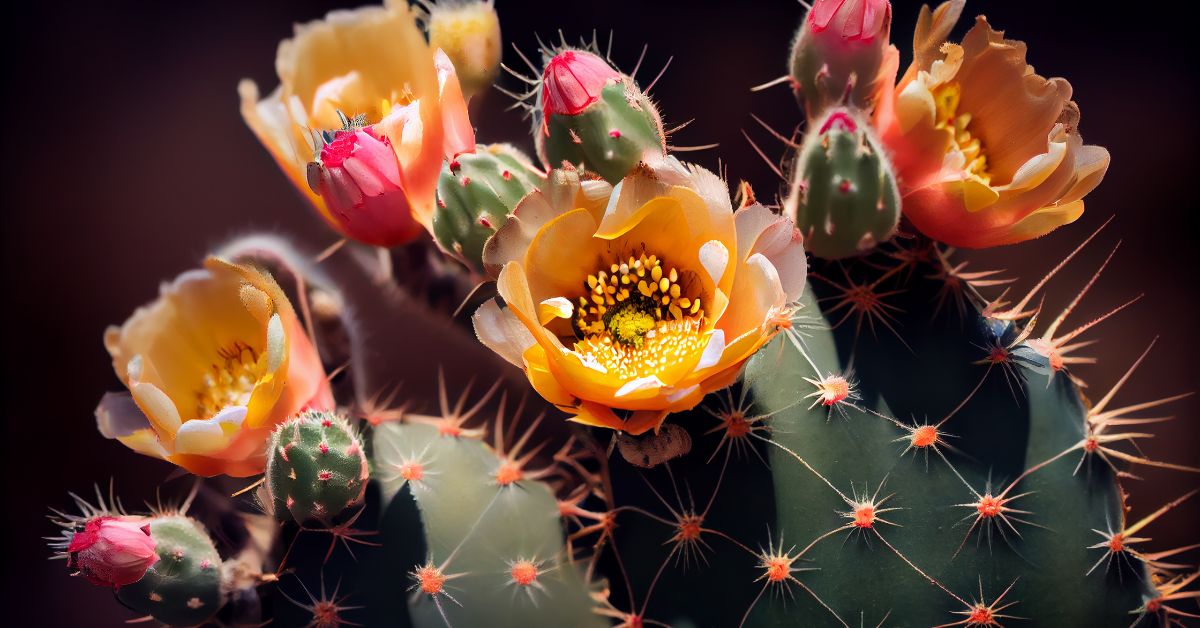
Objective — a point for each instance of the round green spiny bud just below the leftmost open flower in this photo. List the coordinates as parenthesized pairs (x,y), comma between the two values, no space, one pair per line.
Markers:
(316,470)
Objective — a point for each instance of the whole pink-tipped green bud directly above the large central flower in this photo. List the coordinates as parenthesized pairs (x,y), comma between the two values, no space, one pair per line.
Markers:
(598,118)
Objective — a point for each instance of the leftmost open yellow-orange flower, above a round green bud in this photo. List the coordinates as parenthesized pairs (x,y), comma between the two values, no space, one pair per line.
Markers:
(212,367)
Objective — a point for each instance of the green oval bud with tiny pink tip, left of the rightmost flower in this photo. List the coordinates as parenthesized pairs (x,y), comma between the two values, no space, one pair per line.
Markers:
(844,195)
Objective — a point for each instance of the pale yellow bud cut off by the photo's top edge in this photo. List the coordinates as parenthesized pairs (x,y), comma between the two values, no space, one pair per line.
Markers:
(470,33)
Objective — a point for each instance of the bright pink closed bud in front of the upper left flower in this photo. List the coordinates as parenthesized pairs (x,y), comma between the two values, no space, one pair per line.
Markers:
(359,178)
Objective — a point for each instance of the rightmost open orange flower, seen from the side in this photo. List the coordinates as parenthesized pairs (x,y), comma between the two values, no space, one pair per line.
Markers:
(987,152)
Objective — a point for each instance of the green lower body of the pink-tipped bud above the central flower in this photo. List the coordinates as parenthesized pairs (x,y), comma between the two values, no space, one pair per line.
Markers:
(610,139)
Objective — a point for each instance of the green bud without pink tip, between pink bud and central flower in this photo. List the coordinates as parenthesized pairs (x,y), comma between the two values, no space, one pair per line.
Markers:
(476,195)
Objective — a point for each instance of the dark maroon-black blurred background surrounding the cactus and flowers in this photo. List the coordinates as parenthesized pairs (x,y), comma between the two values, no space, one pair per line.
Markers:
(128,162)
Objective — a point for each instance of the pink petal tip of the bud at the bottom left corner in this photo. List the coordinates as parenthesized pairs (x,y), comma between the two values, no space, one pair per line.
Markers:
(113,552)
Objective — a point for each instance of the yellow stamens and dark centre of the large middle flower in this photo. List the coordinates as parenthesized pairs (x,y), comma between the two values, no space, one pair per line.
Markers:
(638,318)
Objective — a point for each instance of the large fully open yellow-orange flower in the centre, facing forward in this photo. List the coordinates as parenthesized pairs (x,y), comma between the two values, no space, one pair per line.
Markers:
(625,304)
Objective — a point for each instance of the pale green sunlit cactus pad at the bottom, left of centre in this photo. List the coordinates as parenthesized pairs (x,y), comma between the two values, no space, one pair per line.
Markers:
(483,534)
